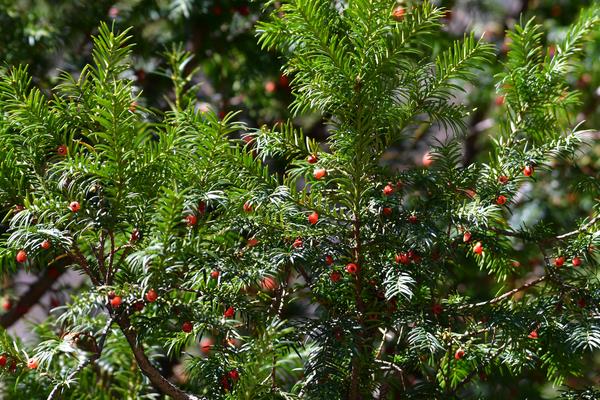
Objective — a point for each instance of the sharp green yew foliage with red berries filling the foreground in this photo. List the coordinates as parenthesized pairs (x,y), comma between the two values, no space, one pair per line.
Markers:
(341,274)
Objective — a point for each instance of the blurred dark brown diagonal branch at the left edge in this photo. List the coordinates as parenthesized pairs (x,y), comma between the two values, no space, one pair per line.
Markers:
(36,291)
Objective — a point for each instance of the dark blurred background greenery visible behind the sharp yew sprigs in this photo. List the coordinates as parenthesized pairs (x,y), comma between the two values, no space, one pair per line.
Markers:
(235,74)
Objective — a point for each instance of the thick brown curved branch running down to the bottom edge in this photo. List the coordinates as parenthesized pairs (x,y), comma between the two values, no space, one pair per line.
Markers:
(153,374)
